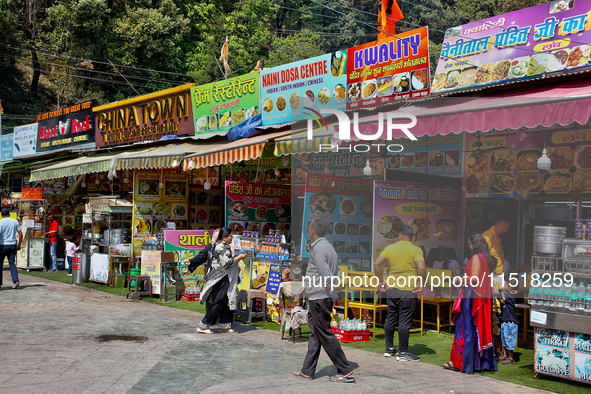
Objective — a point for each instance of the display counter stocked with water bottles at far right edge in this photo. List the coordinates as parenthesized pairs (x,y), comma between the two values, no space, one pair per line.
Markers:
(561,313)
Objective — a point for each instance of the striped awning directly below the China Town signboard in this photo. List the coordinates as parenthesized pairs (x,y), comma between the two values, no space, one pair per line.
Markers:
(162,157)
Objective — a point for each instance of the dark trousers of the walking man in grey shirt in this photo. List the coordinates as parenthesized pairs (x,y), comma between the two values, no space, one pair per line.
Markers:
(321,335)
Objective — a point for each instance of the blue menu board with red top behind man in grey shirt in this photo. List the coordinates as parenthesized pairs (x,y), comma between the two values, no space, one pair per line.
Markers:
(346,207)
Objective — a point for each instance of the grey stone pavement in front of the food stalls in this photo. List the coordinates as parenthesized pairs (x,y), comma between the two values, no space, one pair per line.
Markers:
(58,338)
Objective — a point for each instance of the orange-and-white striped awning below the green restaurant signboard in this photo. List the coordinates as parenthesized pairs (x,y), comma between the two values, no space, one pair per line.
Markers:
(245,149)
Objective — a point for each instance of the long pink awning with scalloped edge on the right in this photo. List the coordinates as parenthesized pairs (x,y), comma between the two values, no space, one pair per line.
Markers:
(544,105)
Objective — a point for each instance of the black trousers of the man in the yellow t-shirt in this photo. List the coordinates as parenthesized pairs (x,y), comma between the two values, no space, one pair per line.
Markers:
(400,312)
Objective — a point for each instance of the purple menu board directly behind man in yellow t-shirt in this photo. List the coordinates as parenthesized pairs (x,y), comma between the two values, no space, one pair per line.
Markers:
(433,211)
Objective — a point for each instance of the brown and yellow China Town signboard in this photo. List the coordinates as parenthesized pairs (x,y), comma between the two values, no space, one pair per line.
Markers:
(145,118)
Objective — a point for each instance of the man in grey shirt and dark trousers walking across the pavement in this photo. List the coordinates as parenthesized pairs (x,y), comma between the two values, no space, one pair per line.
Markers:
(323,265)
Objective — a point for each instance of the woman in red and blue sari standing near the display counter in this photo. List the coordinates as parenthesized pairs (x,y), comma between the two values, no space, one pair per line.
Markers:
(473,348)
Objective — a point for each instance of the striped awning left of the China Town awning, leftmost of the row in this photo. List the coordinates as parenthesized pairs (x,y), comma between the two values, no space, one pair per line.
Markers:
(78,166)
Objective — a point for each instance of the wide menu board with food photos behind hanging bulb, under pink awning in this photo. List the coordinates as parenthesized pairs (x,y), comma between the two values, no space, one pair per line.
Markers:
(504,164)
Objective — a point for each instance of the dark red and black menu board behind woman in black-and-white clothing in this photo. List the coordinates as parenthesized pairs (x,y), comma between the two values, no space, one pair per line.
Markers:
(258,207)
